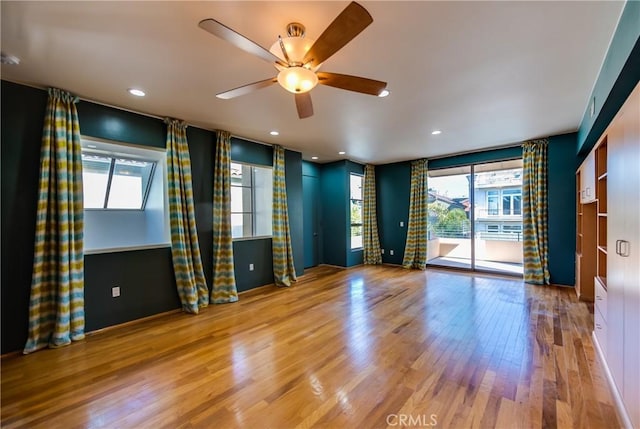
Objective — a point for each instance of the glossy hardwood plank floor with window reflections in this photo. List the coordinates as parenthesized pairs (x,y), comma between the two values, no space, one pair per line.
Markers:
(366,347)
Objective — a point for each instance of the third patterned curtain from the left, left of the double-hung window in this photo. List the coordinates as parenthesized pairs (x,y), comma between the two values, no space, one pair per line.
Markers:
(224,280)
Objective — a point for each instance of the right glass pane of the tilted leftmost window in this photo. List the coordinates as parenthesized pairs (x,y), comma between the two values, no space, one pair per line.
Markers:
(129,184)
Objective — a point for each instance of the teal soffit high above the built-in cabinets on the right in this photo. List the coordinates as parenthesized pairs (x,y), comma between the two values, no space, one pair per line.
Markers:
(619,75)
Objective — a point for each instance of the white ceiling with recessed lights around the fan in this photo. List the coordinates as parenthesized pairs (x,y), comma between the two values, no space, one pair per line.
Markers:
(487,74)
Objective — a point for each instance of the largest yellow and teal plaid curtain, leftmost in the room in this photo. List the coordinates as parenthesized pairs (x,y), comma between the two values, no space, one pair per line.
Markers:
(56,306)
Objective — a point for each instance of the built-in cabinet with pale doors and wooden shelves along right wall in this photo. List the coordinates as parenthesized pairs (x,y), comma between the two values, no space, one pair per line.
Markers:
(617,283)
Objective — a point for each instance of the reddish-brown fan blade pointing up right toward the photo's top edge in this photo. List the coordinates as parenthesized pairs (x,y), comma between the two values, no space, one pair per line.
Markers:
(351,21)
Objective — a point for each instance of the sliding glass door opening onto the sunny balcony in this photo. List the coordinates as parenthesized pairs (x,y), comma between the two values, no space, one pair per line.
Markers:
(475,217)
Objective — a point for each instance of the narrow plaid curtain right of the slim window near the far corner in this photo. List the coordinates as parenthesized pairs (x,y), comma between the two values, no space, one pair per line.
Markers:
(371,241)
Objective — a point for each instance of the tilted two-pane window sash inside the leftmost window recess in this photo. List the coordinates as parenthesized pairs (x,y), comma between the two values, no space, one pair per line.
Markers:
(111,182)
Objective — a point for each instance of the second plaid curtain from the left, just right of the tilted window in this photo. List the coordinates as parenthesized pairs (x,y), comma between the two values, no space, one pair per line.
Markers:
(187,263)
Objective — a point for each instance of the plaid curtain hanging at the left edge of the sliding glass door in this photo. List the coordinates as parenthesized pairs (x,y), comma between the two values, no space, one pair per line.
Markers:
(415,251)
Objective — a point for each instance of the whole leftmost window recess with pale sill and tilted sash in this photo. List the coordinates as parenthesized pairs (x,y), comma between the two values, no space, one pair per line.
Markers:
(125,197)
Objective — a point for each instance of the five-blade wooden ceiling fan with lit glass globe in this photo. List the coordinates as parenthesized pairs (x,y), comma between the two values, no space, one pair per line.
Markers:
(298,59)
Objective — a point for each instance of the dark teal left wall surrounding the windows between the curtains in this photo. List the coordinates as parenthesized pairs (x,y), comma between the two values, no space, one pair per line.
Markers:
(145,276)
